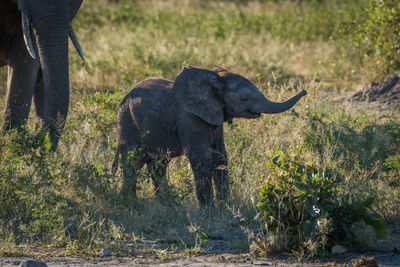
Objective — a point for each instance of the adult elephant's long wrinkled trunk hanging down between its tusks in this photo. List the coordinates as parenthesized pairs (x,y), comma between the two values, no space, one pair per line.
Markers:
(52,39)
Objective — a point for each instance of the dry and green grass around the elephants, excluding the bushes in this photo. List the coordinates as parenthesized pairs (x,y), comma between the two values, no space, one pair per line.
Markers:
(70,200)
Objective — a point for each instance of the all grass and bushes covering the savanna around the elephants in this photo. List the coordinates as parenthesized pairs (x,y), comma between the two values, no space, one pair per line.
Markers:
(324,173)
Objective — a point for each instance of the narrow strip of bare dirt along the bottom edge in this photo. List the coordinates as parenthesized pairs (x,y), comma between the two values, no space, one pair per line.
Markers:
(241,260)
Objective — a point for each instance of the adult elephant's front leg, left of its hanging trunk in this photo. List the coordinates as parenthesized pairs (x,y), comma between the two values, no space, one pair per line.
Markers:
(22,72)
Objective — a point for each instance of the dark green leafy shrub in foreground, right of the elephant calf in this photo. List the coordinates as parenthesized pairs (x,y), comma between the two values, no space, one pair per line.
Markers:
(306,209)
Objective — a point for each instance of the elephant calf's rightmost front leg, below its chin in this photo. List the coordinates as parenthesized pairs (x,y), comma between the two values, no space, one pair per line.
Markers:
(220,164)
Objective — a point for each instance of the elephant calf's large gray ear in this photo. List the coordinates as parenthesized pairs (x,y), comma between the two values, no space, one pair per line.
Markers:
(198,91)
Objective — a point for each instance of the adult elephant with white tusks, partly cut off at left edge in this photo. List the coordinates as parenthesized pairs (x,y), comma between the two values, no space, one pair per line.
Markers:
(34,45)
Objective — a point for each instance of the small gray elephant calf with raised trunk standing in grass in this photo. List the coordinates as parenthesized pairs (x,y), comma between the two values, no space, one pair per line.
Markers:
(186,117)
